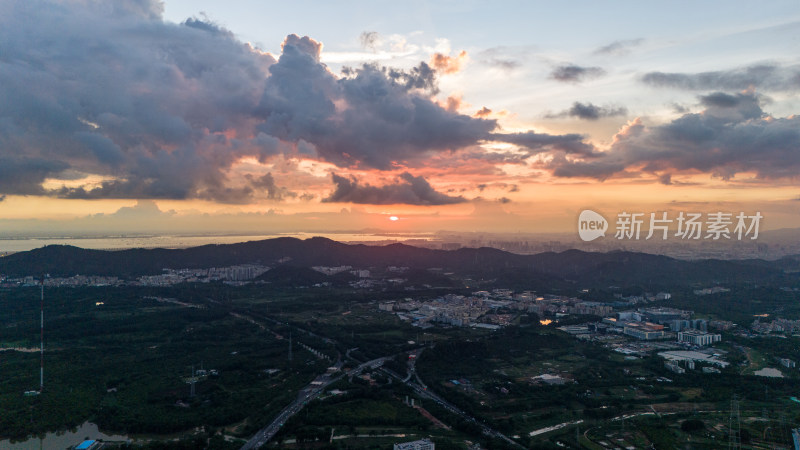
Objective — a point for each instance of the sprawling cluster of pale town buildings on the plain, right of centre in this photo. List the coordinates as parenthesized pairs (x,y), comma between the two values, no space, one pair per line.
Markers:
(682,340)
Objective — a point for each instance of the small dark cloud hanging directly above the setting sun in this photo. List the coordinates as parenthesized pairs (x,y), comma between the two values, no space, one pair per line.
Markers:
(407,189)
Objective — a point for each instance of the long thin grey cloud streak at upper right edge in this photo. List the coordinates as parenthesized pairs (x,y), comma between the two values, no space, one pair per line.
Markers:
(765,77)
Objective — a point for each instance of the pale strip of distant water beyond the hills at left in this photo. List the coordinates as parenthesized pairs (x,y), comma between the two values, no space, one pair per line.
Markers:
(13,245)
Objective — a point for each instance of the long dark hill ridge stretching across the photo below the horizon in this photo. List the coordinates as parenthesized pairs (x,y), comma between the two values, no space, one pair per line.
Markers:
(613,267)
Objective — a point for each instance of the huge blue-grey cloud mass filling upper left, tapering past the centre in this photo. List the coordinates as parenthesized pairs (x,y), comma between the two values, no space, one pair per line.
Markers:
(160,110)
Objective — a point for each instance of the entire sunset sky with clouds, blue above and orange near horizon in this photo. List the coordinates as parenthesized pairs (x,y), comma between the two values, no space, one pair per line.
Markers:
(211,116)
